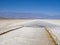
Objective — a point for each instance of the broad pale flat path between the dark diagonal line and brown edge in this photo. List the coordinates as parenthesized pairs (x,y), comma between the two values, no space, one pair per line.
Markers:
(27,36)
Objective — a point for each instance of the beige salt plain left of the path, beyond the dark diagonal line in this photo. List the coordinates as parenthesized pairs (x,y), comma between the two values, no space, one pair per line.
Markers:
(6,25)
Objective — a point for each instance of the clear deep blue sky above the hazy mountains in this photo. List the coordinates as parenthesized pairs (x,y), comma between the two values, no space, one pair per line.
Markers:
(47,7)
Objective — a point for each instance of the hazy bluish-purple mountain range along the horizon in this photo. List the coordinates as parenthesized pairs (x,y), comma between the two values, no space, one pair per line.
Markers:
(5,15)
